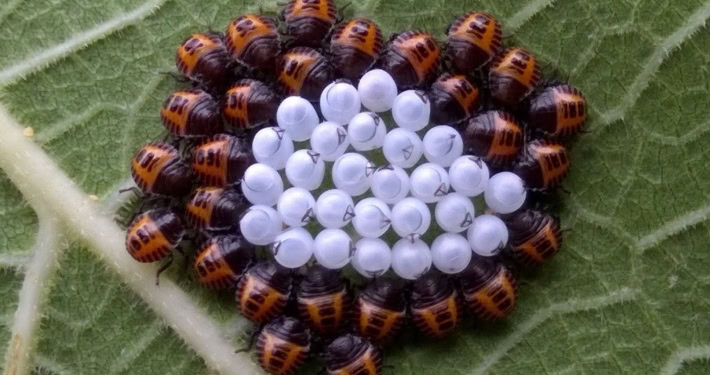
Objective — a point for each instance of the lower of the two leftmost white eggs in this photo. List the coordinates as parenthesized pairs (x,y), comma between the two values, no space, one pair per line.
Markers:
(260,225)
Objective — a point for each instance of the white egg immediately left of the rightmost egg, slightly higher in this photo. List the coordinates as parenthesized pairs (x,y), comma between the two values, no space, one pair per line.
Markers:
(469,175)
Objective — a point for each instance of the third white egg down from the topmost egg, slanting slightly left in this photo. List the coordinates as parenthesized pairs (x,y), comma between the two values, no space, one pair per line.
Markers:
(351,173)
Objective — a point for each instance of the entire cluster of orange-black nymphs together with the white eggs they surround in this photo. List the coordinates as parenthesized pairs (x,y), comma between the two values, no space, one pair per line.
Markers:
(275,104)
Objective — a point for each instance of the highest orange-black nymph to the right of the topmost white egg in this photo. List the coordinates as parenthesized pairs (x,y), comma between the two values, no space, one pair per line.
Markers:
(472,41)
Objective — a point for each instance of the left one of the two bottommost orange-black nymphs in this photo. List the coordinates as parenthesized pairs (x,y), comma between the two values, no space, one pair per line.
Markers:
(283,345)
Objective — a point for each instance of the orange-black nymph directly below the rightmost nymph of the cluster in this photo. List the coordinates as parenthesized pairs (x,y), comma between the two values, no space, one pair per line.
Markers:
(543,165)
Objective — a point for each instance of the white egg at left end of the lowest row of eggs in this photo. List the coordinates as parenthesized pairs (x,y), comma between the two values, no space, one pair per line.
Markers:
(293,248)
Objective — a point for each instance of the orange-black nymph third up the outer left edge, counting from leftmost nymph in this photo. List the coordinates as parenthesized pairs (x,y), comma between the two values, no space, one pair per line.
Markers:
(191,113)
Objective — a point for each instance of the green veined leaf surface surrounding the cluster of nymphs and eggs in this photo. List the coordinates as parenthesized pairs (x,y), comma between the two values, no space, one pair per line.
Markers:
(629,293)
